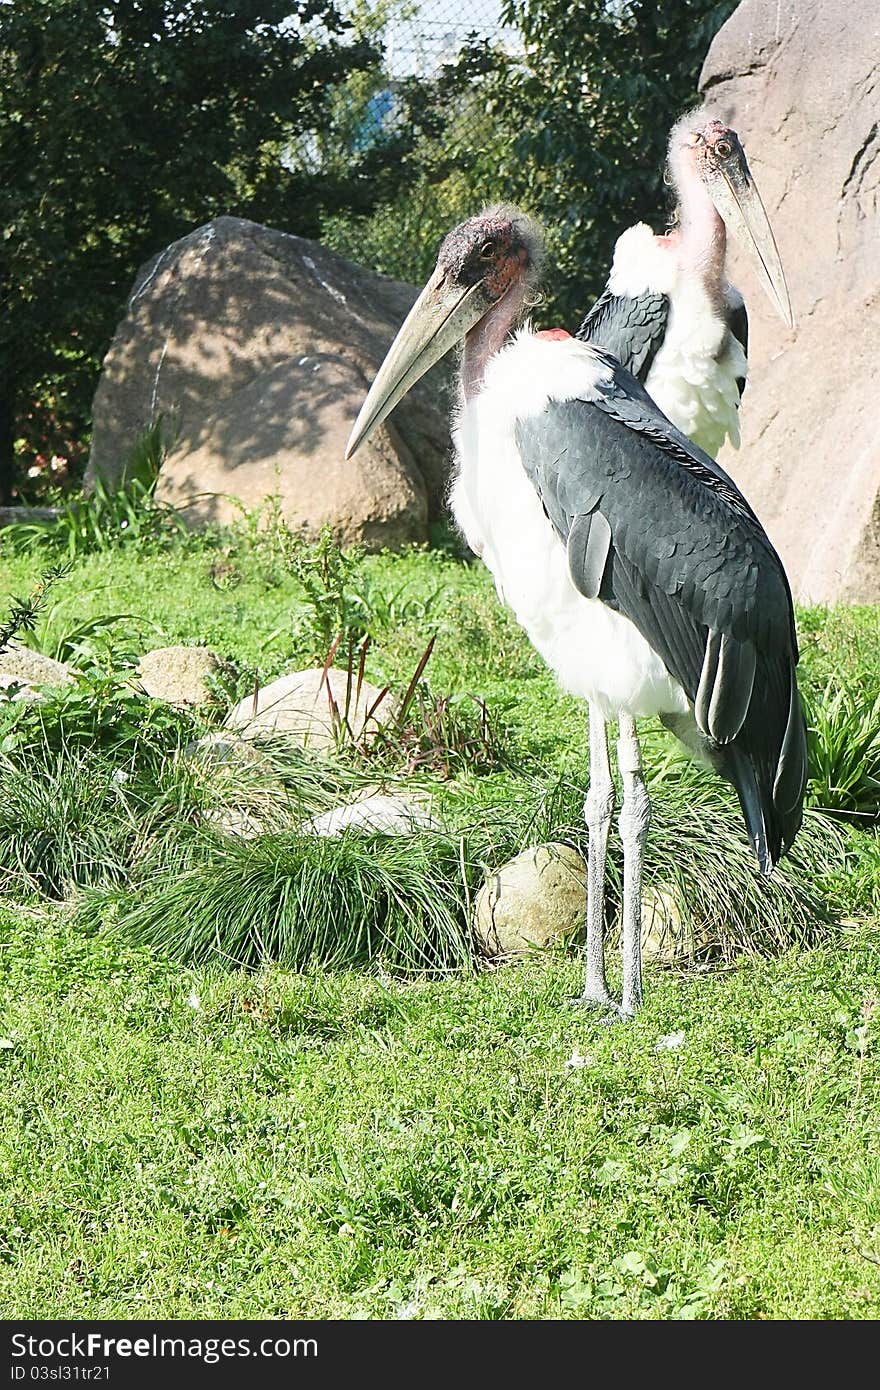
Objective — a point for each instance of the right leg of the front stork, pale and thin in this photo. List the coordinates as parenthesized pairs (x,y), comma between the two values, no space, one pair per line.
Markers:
(635,819)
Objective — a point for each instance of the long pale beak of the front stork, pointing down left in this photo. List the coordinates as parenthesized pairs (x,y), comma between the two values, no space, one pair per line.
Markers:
(440,319)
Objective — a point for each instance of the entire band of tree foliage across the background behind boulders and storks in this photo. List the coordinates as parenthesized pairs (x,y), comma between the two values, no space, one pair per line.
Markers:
(127,123)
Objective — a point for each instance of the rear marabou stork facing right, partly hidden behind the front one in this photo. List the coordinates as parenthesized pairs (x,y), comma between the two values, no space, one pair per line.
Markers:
(668,312)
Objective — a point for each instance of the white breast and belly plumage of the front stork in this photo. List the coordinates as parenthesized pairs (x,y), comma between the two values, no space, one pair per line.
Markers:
(596,653)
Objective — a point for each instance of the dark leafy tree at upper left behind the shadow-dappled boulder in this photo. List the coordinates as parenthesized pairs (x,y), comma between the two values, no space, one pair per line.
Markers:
(123,126)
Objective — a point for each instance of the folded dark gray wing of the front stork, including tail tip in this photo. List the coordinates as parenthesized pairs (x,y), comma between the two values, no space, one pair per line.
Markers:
(660,533)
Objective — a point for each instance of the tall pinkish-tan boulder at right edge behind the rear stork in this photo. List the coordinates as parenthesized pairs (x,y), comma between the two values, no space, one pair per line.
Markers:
(800,80)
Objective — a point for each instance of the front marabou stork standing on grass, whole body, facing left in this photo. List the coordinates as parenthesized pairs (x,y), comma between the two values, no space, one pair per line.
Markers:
(633,562)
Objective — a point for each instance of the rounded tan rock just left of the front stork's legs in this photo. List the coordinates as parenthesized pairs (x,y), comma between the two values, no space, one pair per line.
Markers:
(537,899)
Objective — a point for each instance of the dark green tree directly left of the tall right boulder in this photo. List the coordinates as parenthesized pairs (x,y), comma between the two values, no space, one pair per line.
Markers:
(585,116)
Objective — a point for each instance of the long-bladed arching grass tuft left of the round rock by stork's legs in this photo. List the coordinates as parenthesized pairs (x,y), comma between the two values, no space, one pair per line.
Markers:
(304,900)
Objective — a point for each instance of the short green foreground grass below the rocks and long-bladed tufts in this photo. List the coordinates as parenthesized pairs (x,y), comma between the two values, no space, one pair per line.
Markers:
(190,1143)
